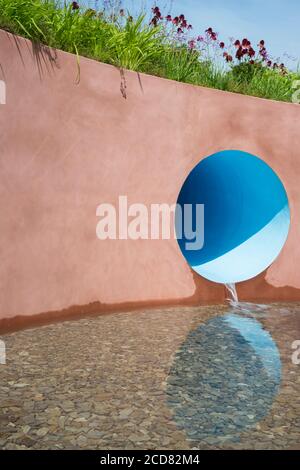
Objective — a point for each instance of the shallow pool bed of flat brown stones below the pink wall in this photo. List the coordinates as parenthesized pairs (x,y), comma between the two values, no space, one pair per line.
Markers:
(112,382)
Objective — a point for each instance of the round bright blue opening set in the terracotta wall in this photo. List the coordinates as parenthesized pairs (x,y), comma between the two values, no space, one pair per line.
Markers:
(232,217)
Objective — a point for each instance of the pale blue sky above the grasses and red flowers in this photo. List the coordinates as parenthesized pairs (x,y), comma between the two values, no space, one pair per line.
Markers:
(275,21)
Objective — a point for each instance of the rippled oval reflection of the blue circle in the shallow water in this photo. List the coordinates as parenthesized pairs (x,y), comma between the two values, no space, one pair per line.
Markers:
(224,378)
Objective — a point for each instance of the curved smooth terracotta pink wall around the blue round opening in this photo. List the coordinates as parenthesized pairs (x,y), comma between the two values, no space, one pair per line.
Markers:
(67,147)
